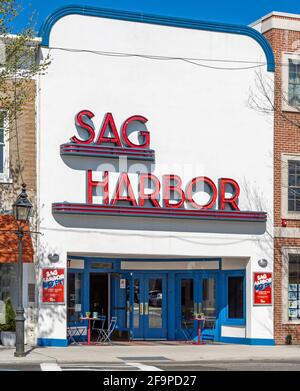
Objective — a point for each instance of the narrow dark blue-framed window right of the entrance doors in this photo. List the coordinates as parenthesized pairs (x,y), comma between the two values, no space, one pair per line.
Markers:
(235,297)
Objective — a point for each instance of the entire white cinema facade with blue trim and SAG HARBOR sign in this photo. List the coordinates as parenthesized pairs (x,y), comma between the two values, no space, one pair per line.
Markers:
(155,178)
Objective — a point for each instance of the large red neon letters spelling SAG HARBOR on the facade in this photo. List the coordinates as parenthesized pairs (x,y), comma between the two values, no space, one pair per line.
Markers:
(149,186)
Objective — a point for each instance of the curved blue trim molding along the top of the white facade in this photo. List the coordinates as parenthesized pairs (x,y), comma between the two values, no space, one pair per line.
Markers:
(158,20)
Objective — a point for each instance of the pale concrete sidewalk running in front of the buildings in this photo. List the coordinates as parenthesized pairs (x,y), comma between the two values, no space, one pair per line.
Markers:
(155,352)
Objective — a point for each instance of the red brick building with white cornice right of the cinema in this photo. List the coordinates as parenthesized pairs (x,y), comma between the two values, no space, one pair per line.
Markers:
(283,32)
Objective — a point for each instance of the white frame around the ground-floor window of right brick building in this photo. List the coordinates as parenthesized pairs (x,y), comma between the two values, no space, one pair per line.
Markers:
(286,251)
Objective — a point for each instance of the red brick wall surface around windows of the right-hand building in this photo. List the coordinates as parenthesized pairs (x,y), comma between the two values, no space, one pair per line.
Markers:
(286,140)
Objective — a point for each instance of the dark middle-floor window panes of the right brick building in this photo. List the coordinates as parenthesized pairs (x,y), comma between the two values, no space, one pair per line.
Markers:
(294,186)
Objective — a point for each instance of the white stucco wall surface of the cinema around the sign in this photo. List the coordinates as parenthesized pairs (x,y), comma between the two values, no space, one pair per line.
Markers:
(200,124)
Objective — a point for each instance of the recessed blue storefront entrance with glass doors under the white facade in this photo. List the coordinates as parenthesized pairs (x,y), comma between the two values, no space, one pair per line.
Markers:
(157,305)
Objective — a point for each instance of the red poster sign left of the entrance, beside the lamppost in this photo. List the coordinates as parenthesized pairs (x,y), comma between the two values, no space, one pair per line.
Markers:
(53,286)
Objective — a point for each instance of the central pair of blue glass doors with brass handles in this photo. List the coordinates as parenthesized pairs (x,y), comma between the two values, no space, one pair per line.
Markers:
(150,306)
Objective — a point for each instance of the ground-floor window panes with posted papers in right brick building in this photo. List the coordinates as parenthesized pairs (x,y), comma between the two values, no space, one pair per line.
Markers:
(294,288)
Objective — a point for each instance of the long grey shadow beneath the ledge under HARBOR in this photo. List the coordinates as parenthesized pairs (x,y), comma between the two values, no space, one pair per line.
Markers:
(158,224)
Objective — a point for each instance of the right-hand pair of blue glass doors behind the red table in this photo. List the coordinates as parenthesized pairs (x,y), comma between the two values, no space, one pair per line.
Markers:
(196,294)
